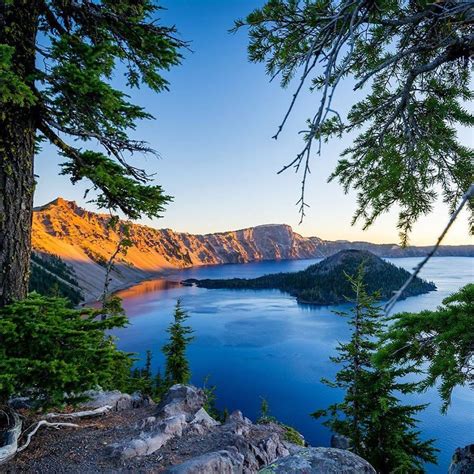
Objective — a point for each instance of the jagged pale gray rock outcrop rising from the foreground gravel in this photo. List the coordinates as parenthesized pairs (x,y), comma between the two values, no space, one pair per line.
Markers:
(237,445)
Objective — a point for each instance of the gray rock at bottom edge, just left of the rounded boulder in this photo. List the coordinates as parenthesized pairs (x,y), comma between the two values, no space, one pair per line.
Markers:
(228,461)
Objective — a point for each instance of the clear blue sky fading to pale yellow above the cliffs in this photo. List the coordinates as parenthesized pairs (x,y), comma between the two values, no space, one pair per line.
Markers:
(213,132)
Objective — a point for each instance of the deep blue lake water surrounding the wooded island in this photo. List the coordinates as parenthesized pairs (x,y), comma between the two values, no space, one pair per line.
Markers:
(255,344)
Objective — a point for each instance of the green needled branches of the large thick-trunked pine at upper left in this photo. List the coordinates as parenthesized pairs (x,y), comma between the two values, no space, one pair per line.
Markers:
(68,69)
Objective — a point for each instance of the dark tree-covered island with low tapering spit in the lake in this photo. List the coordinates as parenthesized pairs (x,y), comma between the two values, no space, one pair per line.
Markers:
(325,283)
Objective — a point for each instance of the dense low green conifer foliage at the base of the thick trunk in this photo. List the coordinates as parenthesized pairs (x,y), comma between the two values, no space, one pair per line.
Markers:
(53,353)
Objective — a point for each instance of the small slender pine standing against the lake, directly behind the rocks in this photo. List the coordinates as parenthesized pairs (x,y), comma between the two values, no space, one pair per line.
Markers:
(177,366)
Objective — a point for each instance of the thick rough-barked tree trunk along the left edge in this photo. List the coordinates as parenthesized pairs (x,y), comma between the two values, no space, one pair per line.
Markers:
(18,29)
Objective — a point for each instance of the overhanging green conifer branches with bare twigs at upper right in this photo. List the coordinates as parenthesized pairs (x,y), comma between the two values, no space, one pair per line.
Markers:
(410,60)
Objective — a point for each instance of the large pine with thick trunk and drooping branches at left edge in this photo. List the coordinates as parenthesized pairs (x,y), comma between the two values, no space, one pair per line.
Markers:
(57,60)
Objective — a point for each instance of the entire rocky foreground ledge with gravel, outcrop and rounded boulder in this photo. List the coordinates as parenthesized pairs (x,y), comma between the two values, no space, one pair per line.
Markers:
(176,436)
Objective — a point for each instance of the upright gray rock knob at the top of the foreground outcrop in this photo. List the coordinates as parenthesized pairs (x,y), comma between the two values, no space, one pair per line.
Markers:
(182,399)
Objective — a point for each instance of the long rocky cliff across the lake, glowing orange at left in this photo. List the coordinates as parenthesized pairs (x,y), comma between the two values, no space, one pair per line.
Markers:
(84,240)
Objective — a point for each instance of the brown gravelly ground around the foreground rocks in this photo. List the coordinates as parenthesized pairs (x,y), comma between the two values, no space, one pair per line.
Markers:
(84,450)
